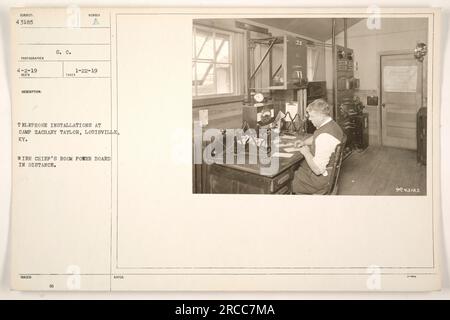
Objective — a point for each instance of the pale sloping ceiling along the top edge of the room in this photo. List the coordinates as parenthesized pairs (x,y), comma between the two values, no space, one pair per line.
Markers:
(316,28)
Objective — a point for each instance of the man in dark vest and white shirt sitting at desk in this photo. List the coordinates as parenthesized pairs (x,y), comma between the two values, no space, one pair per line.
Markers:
(312,177)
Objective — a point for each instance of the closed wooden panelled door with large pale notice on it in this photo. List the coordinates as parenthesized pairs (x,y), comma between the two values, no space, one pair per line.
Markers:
(401,98)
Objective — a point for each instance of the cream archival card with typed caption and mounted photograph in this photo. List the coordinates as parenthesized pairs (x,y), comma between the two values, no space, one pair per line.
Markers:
(225,149)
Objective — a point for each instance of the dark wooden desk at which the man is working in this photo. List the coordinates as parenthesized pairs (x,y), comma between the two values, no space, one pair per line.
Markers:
(248,179)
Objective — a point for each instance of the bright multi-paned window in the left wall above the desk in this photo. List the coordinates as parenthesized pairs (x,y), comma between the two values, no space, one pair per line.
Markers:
(214,70)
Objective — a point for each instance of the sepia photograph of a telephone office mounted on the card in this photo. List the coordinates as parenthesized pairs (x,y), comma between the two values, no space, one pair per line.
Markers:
(310,106)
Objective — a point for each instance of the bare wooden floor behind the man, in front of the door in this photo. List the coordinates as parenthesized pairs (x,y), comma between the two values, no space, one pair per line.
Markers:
(382,171)
